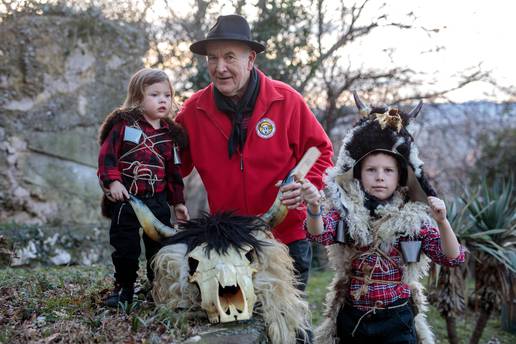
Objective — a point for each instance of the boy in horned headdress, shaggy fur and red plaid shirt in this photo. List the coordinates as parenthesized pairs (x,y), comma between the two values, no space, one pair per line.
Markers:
(380,207)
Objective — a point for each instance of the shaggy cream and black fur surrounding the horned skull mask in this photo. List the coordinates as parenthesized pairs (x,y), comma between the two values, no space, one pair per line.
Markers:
(278,301)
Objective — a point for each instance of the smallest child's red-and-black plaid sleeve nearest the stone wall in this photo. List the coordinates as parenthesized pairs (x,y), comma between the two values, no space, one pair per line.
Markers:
(109,152)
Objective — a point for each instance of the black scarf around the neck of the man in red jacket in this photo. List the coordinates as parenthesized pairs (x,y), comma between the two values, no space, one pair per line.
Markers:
(237,112)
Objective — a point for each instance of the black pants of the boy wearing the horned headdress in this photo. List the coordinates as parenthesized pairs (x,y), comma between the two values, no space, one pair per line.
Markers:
(391,326)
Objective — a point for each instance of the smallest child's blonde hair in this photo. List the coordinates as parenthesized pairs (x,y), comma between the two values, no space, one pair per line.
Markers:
(142,79)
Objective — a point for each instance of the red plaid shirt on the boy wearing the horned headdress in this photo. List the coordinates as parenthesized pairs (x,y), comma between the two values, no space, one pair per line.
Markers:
(382,268)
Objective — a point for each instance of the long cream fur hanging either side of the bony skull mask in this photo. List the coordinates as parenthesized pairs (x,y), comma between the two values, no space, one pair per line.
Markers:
(282,306)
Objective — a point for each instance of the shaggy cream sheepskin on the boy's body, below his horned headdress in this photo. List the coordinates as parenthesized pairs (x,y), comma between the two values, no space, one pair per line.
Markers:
(395,219)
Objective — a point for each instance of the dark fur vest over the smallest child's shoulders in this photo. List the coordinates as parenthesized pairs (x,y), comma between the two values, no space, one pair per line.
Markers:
(130,116)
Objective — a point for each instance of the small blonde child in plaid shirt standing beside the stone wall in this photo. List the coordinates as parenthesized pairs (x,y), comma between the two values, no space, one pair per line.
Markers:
(138,155)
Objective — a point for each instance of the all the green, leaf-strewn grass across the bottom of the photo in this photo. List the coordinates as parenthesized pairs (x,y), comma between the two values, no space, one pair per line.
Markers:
(64,304)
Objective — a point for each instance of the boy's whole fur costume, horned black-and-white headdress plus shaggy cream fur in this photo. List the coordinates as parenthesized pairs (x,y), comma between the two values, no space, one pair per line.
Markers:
(380,129)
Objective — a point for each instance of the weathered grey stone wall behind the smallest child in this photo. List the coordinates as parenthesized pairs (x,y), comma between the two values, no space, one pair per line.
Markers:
(59,77)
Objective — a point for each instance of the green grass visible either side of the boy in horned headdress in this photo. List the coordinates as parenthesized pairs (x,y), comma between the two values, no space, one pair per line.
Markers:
(320,279)
